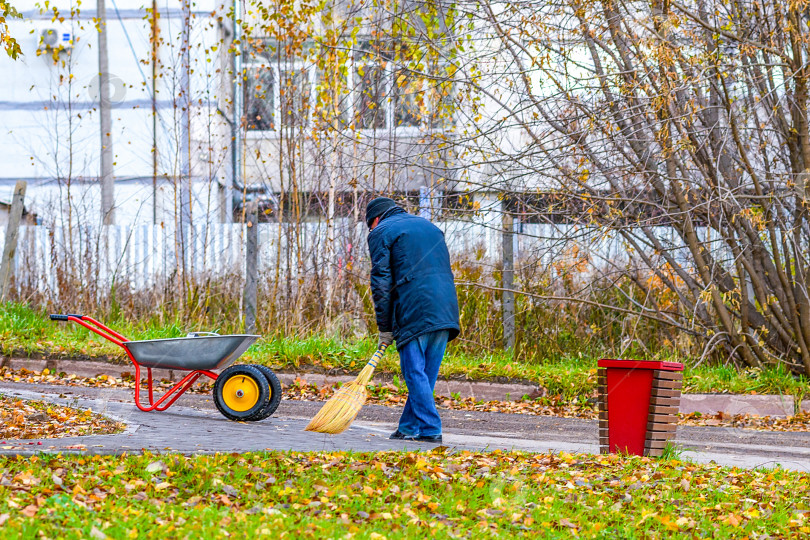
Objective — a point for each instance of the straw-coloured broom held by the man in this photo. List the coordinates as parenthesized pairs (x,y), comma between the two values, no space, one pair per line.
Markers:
(339,412)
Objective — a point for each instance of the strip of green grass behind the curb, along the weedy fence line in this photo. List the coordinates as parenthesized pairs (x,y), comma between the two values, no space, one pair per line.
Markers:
(25,332)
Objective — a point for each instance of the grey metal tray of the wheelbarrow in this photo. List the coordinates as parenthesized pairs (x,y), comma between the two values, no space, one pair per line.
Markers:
(196,352)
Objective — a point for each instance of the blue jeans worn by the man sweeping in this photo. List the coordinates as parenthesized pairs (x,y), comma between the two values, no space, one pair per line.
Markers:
(419,360)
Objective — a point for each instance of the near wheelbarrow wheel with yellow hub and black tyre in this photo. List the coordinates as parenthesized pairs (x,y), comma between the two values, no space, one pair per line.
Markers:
(241,392)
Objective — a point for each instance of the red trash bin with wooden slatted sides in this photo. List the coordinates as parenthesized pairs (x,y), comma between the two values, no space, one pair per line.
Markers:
(638,405)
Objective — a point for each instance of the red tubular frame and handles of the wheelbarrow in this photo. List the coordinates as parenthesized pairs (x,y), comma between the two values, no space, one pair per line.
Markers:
(109,334)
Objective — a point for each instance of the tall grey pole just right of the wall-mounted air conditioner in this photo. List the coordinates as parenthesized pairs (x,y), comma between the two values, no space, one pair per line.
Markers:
(107,181)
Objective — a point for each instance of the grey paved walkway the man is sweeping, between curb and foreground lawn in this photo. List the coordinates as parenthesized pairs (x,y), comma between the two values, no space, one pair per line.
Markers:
(194,426)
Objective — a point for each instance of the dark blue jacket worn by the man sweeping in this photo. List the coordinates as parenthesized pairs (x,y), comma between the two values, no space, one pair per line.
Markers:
(411,279)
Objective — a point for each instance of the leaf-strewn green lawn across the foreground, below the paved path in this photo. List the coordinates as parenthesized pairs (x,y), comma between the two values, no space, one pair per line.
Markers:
(394,495)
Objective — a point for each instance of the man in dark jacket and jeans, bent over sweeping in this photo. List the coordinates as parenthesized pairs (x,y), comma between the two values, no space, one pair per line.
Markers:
(415,304)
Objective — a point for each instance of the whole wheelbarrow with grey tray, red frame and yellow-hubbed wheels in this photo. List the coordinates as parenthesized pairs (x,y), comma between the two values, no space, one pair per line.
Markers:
(245,392)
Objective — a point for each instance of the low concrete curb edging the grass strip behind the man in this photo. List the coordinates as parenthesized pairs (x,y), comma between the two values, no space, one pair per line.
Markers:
(710,404)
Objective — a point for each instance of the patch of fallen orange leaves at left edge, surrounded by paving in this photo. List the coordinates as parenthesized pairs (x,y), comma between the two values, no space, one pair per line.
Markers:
(39,420)
